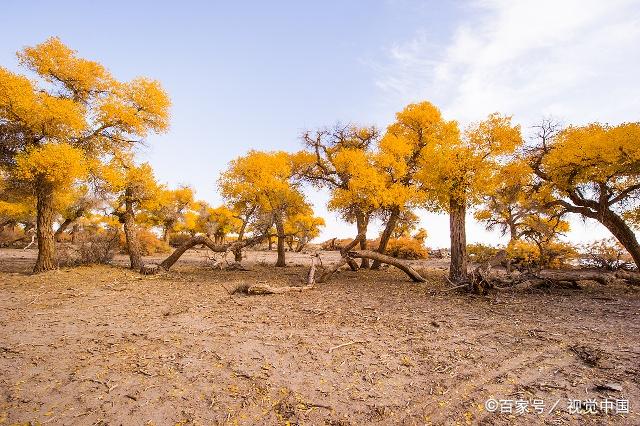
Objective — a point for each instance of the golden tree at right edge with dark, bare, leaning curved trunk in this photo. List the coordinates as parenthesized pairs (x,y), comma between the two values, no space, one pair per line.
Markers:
(593,171)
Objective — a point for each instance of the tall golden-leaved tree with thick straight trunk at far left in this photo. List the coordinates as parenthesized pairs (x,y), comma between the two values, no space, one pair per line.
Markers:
(74,110)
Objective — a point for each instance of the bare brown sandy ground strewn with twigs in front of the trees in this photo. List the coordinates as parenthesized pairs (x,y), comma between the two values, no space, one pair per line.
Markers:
(103,345)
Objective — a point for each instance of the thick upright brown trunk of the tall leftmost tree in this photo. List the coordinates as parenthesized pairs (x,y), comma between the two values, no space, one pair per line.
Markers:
(44,228)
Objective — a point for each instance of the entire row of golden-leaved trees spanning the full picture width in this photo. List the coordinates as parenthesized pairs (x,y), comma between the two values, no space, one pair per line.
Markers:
(68,137)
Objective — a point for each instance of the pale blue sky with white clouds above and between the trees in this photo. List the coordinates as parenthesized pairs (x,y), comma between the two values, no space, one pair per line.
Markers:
(254,74)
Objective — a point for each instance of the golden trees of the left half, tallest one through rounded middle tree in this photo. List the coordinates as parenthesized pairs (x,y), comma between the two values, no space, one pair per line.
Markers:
(68,134)
